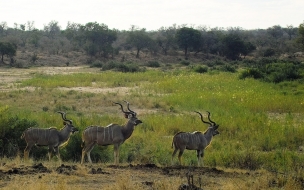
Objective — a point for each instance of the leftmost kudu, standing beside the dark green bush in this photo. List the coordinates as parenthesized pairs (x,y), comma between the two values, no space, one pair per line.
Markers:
(50,137)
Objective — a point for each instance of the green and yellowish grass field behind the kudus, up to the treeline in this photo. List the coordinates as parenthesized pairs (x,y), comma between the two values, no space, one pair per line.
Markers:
(261,124)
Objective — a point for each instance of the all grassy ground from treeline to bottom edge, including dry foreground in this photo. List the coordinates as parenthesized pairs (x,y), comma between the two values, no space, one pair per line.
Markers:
(260,145)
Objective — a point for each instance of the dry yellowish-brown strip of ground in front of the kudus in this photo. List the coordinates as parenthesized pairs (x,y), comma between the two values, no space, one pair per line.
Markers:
(140,176)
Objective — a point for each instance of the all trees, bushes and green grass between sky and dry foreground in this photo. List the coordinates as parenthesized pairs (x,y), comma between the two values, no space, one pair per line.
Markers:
(250,81)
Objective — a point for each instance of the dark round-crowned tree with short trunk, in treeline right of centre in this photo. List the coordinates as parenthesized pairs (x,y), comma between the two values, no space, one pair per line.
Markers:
(188,38)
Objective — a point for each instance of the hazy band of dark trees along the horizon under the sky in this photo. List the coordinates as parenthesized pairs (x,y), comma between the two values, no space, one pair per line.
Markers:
(101,43)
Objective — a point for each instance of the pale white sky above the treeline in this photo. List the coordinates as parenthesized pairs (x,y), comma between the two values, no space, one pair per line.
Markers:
(153,14)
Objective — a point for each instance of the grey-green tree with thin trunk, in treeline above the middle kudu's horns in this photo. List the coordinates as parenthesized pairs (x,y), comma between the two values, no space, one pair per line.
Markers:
(139,39)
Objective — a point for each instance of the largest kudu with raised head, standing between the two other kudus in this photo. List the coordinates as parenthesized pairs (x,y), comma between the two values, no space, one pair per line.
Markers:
(113,134)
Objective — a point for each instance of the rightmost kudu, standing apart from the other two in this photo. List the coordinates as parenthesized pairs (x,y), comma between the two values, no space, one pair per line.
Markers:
(194,141)
